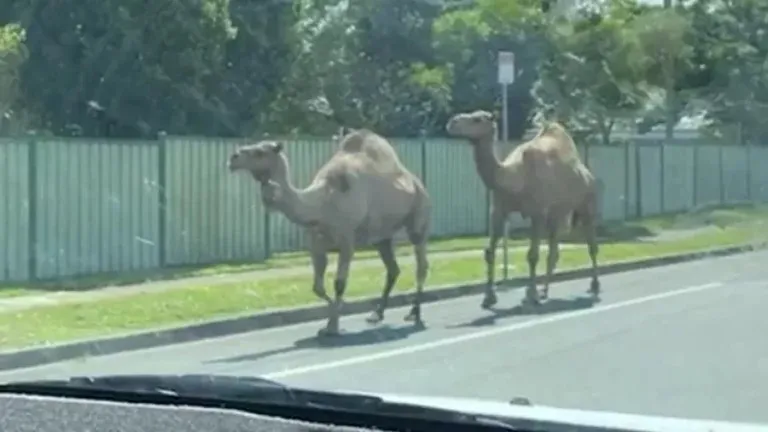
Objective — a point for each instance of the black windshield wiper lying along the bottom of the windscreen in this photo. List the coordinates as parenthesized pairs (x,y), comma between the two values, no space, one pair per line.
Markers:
(223,388)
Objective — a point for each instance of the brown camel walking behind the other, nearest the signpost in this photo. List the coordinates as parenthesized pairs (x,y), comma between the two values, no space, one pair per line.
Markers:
(545,181)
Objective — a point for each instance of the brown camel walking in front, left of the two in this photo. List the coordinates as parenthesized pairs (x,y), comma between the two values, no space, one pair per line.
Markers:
(362,196)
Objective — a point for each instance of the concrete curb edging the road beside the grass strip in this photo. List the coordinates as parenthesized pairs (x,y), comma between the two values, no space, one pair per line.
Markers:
(281,317)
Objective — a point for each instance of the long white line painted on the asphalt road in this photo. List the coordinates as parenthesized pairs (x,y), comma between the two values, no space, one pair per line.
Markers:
(486,333)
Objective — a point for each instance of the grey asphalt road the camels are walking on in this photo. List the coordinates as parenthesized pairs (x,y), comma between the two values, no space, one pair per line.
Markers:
(687,340)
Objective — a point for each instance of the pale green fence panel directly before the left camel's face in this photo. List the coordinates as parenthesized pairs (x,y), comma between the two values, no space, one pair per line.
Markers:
(212,214)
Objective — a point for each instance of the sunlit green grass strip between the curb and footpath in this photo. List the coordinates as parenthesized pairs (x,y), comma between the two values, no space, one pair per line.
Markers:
(197,303)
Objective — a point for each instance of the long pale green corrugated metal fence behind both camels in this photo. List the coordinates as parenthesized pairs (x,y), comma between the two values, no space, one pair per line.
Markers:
(80,206)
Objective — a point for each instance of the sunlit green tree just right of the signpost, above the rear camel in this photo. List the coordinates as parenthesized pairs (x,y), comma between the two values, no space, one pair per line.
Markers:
(606,63)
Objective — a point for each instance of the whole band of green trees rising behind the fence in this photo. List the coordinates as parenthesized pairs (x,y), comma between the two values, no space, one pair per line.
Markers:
(245,67)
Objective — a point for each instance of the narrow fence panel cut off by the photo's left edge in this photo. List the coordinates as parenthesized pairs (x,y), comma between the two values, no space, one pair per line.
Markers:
(14,210)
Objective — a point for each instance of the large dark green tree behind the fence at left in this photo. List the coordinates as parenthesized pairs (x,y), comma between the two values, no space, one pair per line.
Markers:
(126,68)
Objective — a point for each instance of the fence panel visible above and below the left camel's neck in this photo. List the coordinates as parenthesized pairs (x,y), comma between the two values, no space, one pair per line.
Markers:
(306,157)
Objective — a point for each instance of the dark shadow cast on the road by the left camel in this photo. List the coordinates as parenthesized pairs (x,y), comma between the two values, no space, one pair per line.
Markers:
(371,336)
